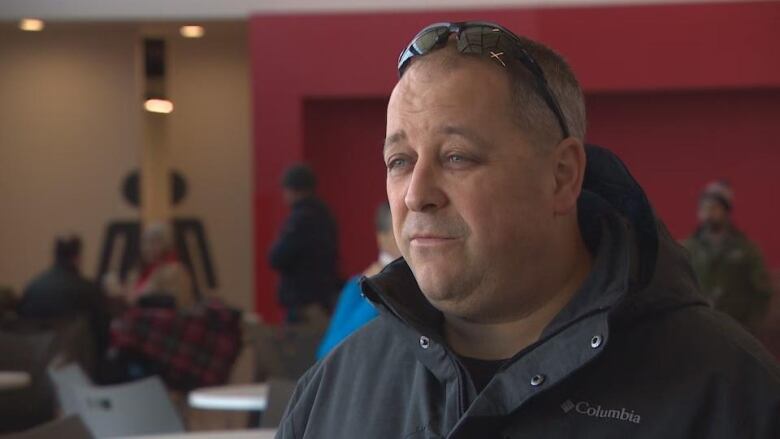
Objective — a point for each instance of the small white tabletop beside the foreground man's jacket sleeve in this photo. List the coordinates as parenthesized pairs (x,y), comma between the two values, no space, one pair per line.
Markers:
(233,397)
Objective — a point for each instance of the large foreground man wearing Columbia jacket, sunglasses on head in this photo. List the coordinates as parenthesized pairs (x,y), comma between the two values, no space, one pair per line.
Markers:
(534,299)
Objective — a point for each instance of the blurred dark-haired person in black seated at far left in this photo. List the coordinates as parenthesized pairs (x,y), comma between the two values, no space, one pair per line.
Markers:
(63,292)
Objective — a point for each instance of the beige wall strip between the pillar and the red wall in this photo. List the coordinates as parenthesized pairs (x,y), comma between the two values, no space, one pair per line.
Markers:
(209,142)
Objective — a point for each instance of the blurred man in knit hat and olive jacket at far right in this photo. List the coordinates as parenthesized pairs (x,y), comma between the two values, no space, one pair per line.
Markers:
(728,265)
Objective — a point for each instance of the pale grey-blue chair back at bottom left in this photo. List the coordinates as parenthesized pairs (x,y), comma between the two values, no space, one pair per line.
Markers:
(133,409)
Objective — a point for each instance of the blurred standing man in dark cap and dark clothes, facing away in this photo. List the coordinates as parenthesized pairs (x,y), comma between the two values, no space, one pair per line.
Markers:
(306,252)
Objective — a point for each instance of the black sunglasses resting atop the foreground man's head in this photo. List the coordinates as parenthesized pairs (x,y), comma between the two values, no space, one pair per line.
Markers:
(485,39)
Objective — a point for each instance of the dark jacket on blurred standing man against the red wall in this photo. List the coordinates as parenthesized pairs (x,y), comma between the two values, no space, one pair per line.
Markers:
(306,255)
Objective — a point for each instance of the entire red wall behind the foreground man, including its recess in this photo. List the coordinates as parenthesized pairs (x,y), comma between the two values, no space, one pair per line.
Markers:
(683,93)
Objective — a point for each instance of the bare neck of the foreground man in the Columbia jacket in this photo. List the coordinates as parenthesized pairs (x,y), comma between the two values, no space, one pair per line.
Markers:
(496,341)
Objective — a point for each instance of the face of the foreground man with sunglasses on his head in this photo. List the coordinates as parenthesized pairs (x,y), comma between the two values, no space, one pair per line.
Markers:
(471,200)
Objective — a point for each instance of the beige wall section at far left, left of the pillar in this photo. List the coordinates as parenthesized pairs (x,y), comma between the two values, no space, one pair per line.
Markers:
(69,133)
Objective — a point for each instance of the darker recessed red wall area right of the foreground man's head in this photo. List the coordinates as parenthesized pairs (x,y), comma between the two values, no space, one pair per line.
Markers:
(675,143)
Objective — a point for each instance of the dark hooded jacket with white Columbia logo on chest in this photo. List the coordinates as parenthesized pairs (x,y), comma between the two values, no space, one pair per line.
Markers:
(636,354)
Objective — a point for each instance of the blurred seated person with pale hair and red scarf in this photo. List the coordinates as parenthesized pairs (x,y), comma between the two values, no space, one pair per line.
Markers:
(160,278)
